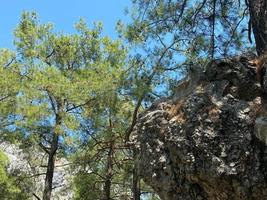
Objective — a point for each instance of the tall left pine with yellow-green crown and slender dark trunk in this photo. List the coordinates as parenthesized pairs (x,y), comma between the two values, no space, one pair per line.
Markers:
(65,77)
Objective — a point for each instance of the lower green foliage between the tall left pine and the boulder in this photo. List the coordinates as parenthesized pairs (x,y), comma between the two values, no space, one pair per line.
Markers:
(92,160)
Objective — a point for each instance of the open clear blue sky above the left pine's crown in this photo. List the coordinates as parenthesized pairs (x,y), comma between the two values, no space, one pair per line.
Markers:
(62,13)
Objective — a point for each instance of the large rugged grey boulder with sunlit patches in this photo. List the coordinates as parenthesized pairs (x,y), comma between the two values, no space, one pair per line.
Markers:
(210,144)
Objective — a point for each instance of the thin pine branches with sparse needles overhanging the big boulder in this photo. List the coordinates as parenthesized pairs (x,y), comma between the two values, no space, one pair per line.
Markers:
(169,37)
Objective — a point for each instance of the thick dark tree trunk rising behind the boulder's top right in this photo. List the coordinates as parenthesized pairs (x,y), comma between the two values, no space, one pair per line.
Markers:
(258,16)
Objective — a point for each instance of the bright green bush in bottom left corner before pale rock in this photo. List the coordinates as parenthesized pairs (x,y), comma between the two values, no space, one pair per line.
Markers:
(9,189)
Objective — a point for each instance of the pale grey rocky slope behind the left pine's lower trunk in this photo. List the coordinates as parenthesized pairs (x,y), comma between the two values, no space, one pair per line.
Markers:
(29,165)
